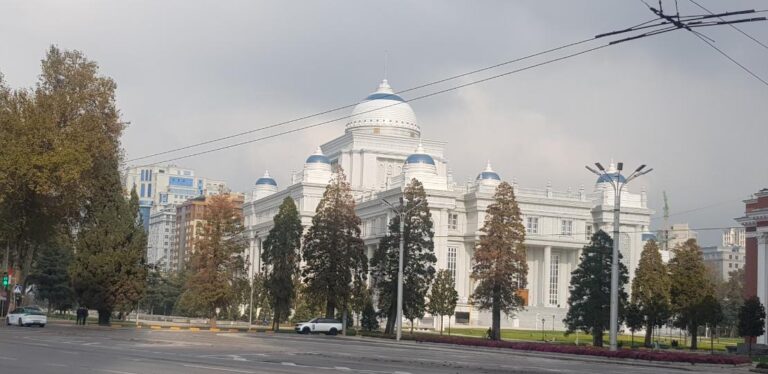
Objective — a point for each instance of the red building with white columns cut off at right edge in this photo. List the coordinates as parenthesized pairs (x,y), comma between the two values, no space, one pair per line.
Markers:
(755,222)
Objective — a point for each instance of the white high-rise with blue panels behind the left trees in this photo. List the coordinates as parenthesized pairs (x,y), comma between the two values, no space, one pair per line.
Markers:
(158,186)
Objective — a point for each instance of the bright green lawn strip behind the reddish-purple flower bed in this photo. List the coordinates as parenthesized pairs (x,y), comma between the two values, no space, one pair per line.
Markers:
(584,339)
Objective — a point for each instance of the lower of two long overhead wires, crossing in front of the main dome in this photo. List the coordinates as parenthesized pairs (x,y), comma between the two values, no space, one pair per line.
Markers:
(454,88)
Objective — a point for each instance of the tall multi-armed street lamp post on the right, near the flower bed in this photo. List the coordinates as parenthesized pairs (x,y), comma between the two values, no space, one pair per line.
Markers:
(614,177)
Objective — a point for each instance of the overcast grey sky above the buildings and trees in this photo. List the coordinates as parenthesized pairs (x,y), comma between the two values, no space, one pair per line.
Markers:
(190,71)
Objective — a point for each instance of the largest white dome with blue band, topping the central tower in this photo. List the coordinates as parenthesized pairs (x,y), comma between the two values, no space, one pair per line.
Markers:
(384,112)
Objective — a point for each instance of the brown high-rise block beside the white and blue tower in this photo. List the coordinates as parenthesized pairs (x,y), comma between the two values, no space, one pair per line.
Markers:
(189,217)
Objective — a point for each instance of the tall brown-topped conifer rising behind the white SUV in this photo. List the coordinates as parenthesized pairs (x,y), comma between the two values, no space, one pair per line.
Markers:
(333,251)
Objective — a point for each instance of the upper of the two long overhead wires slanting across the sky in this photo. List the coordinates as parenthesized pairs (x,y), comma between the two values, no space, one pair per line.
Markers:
(298,119)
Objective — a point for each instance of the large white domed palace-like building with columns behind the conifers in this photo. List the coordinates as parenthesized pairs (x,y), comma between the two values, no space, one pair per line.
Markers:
(382,149)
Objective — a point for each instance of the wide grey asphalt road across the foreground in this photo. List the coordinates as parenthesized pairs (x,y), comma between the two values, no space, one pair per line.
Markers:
(61,349)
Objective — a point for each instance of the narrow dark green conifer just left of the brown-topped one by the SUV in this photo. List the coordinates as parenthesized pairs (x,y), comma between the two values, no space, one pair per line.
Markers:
(281,259)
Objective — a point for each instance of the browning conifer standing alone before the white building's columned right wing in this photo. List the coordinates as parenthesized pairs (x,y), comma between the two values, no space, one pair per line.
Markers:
(500,267)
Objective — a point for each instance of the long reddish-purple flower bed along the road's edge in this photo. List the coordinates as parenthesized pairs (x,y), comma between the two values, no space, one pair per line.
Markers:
(589,351)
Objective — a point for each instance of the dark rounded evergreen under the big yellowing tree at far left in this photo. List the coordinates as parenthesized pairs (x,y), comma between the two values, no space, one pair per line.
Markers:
(50,277)
